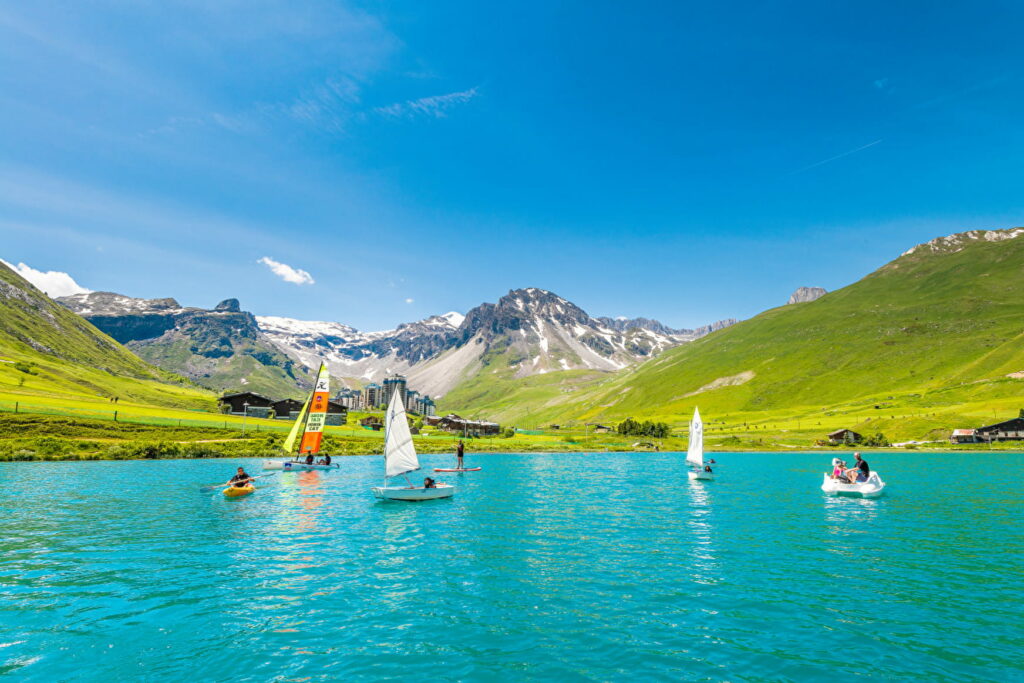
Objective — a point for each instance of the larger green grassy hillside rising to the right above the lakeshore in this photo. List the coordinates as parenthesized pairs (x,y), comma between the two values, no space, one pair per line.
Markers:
(941,327)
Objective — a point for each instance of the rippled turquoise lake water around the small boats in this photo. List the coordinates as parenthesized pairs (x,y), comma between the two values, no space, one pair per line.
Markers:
(569,568)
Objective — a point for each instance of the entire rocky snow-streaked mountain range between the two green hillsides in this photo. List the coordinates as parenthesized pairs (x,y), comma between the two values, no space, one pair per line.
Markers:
(528,332)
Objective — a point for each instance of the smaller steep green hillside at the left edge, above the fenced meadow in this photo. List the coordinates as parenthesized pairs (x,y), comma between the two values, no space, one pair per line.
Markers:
(48,351)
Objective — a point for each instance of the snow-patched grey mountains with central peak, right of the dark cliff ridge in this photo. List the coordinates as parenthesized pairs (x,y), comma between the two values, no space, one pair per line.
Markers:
(528,332)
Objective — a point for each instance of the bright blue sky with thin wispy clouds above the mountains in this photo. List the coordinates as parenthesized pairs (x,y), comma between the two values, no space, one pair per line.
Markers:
(679,161)
